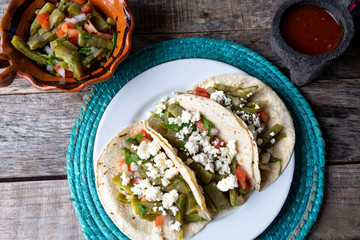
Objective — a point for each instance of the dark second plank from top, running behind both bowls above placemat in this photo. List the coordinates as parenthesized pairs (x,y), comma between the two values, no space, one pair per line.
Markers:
(348,65)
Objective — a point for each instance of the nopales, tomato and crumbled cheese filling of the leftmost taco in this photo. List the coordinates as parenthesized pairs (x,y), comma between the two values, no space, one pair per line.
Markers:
(151,183)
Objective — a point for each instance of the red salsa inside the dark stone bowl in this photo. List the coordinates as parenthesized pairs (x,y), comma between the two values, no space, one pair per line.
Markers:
(310,30)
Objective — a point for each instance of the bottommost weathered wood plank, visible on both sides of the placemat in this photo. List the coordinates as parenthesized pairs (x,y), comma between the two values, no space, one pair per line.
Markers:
(48,203)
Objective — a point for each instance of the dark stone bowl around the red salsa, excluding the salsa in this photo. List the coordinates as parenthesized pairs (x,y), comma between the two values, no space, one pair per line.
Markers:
(303,67)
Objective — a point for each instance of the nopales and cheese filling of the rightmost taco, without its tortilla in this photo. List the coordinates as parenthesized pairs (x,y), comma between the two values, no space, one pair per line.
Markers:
(239,101)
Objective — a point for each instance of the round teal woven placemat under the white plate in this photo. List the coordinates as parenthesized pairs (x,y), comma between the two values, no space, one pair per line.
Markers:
(303,203)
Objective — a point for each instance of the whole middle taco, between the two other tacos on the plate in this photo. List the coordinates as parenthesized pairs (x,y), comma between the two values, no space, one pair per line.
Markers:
(213,144)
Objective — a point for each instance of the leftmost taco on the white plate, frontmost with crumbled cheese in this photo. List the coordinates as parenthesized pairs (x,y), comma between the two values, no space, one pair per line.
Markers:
(145,193)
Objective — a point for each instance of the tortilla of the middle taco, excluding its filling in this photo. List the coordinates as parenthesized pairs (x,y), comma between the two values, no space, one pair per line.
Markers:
(229,128)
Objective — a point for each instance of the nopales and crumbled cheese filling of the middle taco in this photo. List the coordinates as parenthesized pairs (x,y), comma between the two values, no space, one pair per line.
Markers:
(199,146)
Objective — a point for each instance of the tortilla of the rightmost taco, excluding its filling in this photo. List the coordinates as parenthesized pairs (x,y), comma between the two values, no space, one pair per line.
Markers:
(279,114)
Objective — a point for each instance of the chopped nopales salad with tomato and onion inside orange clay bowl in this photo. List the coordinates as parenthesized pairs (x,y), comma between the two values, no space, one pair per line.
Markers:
(69,39)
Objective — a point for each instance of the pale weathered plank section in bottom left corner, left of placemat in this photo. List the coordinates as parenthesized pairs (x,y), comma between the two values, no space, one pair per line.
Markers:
(38,210)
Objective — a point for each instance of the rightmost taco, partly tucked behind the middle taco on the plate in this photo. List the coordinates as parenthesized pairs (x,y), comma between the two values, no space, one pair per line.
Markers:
(265,115)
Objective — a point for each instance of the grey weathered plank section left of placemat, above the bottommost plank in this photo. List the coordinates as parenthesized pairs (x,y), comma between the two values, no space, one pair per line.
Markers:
(34,132)
